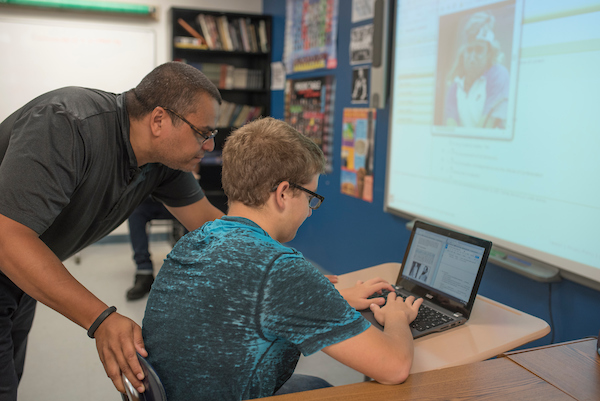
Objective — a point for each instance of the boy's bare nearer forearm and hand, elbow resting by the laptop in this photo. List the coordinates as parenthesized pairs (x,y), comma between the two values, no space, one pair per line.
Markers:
(386,356)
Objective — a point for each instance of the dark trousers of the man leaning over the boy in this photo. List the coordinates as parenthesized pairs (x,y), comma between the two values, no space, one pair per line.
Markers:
(16,317)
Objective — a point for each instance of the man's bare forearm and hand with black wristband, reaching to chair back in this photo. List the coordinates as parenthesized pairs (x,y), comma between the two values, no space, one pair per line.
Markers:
(34,268)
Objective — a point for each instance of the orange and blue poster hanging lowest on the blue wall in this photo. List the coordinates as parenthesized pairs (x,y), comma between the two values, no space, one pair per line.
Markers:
(358,149)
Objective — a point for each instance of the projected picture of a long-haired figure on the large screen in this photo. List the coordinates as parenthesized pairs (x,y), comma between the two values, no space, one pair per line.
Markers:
(473,79)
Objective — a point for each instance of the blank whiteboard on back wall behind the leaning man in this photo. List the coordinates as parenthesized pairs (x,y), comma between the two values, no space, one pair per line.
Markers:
(38,57)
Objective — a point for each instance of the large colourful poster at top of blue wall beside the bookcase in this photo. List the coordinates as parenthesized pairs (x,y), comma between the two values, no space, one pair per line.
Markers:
(310,35)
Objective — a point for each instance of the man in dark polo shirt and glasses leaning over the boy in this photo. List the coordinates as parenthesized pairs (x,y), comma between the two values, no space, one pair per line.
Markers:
(75,163)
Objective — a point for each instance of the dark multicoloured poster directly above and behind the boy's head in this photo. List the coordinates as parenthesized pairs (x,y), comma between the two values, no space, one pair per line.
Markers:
(309,108)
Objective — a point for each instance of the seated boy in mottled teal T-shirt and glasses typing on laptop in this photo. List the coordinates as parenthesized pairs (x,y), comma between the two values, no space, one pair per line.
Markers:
(232,308)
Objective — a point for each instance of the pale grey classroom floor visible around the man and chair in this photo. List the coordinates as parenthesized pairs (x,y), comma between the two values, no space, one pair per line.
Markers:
(62,362)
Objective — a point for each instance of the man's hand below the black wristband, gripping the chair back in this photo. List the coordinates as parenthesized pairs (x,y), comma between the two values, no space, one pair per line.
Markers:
(117,340)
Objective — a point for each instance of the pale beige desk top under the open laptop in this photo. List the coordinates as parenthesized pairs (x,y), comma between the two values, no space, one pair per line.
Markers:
(492,329)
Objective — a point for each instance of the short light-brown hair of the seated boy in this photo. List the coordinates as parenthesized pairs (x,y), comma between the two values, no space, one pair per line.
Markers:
(263,153)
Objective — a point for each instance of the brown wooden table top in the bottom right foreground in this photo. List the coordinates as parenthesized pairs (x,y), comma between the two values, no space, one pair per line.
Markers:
(567,371)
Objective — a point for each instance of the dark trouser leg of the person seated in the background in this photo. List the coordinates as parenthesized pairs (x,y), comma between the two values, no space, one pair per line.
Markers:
(145,212)
